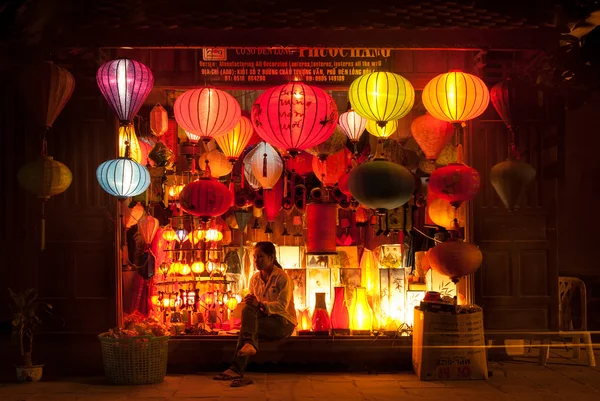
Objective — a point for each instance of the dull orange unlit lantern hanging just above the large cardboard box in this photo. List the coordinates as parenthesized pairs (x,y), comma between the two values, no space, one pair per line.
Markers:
(455,259)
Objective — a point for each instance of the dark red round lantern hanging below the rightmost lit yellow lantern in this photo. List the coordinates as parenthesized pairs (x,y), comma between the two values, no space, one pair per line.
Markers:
(455,182)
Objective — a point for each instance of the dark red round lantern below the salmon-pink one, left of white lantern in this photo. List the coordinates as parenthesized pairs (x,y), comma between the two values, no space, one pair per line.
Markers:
(205,198)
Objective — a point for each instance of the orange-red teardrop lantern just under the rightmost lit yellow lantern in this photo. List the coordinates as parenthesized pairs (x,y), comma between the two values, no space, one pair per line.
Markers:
(432,135)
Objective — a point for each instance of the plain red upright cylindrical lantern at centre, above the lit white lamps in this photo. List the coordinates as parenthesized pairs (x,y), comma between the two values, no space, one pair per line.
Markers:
(321,227)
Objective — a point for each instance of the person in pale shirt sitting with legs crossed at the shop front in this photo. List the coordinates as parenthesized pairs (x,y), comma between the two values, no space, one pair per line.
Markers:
(269,312)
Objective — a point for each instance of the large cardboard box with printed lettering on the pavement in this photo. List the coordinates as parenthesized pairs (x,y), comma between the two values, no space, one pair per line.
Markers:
(448,346)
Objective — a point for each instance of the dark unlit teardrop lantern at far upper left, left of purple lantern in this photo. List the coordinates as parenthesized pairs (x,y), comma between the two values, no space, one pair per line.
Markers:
(46,88)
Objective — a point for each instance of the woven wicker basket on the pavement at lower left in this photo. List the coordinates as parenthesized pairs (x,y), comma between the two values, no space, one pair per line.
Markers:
(136,360)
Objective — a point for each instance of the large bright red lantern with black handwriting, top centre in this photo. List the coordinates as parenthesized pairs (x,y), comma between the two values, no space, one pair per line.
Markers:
(295,116)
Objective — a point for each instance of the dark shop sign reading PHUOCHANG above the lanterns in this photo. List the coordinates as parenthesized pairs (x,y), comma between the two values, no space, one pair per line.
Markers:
(321,66)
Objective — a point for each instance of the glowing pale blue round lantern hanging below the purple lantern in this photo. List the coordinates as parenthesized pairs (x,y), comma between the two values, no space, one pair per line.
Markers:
(123,177)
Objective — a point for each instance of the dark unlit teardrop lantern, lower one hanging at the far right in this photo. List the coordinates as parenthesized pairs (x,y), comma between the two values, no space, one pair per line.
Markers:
(510,179)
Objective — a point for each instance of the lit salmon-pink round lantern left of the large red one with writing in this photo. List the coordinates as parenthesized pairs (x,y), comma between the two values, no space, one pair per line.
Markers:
(207,112)
